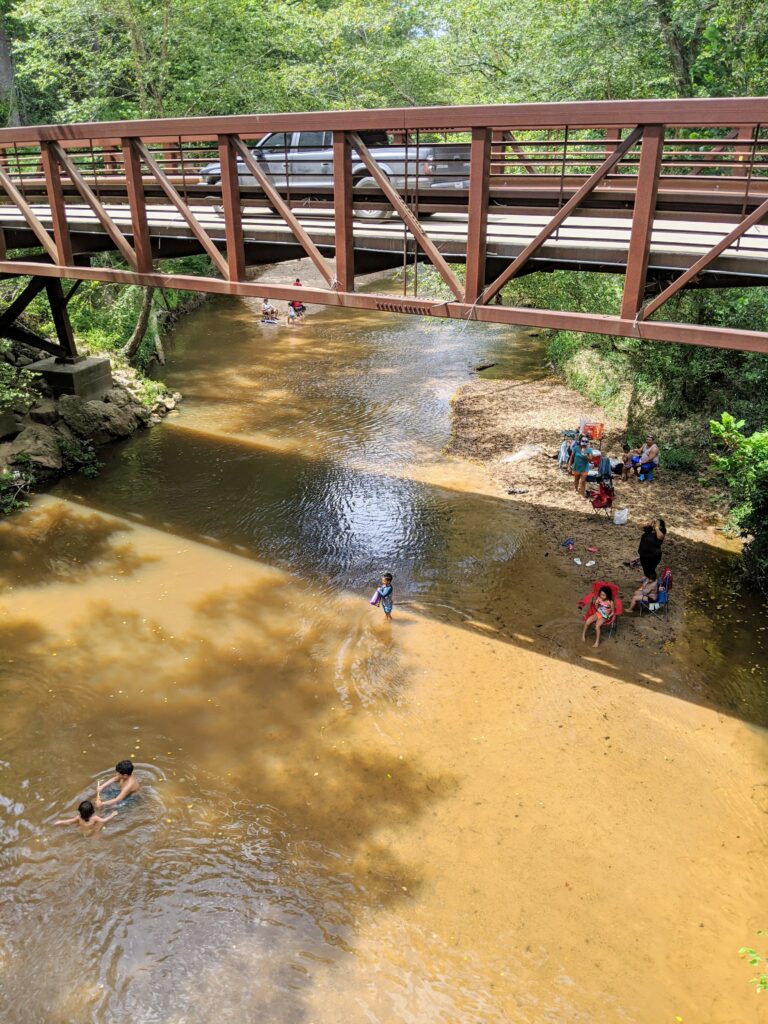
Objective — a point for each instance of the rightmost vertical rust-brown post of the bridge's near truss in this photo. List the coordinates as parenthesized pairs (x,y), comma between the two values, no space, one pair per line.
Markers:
(643,221)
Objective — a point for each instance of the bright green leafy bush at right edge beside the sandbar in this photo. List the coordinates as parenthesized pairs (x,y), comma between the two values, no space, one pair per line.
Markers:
(742,464)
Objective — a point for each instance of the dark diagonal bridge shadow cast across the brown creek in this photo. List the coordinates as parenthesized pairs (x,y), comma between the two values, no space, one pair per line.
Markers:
(464,559)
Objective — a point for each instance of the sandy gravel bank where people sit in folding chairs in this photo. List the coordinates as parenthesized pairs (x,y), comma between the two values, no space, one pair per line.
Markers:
(516,429)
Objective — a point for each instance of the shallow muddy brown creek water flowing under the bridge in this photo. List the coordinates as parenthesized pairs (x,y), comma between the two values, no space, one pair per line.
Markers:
(462,818)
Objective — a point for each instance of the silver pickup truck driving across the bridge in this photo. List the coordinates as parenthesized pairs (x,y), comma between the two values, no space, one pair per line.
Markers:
(304,160)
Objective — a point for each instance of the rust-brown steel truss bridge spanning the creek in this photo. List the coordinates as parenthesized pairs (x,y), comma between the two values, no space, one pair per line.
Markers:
(671,194)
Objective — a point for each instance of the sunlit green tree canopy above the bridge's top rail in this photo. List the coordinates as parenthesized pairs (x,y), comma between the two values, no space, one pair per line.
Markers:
(100,60)
